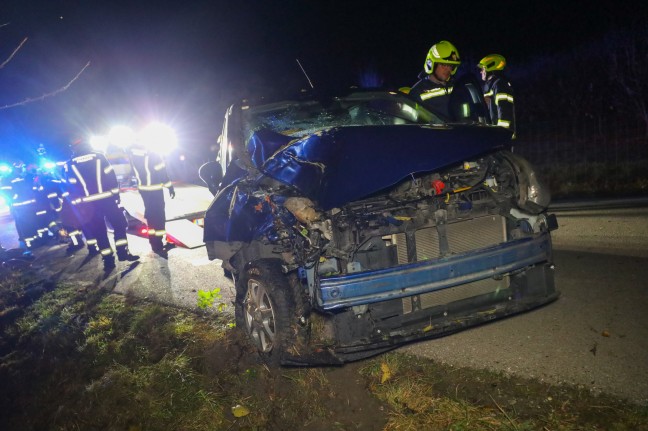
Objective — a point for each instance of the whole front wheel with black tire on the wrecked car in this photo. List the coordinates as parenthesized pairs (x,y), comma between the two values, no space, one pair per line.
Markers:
(266,309)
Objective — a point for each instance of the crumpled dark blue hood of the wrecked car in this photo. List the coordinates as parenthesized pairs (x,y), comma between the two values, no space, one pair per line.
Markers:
(341,165)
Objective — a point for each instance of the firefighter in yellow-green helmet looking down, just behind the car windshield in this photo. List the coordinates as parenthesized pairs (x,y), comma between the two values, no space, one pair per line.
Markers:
(435,84)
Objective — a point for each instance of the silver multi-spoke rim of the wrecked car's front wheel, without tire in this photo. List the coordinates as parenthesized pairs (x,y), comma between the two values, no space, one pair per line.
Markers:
(259,316)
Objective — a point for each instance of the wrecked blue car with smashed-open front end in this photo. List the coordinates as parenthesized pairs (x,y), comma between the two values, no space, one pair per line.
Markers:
(353,224)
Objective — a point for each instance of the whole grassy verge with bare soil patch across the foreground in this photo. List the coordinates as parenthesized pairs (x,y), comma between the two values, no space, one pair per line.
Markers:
(74,357)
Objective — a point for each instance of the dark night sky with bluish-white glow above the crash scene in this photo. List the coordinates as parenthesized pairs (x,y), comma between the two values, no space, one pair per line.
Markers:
(184,62)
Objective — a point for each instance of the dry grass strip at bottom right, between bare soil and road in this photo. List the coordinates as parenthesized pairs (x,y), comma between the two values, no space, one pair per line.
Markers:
(424,395)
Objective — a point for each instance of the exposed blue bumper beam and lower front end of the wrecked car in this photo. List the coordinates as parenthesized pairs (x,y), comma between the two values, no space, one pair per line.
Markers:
(371,312)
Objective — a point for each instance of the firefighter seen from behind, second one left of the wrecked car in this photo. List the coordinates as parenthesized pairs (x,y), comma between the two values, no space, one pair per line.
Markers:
(93,189)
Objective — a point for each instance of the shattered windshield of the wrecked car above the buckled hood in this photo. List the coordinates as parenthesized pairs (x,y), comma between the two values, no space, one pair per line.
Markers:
(302,118)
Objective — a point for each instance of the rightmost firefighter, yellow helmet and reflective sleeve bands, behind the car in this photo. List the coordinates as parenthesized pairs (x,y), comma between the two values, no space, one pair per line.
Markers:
(498,92)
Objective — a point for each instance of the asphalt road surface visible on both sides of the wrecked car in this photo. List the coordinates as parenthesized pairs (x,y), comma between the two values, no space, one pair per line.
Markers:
(595,335)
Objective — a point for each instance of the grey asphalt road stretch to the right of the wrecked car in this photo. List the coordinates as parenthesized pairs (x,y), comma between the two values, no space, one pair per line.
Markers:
(596,334)
